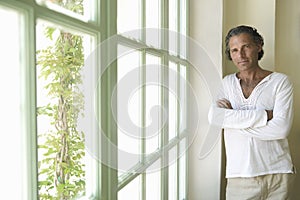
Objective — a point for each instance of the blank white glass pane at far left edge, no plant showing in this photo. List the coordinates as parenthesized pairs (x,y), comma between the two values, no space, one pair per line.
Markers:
(11,104)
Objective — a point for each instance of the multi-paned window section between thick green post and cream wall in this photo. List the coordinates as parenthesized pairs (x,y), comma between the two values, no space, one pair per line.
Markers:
(151,99)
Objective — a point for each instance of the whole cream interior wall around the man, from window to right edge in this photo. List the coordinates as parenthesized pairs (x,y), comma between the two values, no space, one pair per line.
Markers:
(279,23)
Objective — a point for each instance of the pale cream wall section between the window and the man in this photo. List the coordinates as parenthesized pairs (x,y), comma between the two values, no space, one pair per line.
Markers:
(206,29)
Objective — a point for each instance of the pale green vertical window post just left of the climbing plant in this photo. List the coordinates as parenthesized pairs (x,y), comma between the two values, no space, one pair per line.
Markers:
(28,122)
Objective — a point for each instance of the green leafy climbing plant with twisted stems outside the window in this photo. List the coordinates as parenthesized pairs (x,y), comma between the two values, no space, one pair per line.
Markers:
(61,171)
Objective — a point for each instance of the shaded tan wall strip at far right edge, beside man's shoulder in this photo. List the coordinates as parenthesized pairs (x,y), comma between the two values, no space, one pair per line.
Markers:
(287,60)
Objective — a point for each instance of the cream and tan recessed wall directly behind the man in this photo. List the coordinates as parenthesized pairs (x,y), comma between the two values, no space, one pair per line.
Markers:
(279,23)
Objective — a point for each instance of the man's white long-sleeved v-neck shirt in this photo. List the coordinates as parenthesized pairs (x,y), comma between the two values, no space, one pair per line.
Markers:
(255,146)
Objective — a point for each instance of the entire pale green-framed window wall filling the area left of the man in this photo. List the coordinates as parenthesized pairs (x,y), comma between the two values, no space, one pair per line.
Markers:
(86,128)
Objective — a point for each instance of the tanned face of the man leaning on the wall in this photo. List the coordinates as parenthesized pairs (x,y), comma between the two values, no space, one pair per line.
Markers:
(244,52)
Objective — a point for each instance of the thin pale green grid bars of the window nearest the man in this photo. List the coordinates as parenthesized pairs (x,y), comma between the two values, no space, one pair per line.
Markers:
(126,178)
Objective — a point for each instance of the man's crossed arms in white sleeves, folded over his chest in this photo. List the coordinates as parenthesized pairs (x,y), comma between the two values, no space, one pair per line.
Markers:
(262,124)
